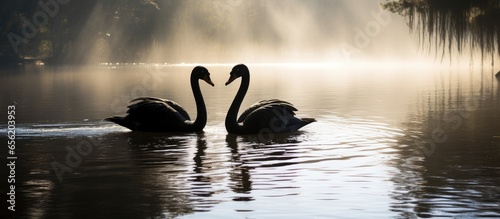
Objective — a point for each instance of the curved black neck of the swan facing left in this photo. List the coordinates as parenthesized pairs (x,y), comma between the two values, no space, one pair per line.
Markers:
(232,125)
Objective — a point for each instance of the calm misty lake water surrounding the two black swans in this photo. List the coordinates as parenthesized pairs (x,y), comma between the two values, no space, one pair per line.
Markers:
(403,142)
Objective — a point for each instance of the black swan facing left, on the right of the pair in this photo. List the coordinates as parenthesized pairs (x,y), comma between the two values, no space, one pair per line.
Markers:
(270,116)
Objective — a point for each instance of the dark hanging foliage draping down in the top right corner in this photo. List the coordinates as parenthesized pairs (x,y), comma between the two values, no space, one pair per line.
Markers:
(453,24)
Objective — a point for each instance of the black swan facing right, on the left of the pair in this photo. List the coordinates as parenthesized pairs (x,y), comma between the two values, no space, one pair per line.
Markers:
(151,114)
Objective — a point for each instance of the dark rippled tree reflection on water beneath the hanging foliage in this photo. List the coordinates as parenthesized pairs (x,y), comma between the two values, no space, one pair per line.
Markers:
(450,153)
